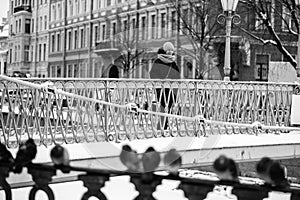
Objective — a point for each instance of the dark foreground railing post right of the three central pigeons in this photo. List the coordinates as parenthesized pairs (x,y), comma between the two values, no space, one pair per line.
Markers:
(195,191)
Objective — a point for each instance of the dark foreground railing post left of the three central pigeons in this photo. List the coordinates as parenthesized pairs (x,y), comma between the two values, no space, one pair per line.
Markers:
(93,183)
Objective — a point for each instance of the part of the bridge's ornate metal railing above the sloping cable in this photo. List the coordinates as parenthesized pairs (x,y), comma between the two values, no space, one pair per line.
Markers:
(243,102)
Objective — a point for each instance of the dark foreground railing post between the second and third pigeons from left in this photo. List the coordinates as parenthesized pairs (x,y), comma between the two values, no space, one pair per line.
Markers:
(41,177)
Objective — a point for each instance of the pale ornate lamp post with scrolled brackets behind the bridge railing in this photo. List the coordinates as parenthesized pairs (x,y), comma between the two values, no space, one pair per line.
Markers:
(228,17)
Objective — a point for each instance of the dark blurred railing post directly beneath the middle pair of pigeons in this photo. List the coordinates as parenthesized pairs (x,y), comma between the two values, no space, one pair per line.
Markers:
(145,185)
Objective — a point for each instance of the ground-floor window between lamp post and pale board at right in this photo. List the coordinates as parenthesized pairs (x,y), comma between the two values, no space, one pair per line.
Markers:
(262,66)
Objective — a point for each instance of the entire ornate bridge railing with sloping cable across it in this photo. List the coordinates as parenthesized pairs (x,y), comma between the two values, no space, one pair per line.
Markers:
(80,110)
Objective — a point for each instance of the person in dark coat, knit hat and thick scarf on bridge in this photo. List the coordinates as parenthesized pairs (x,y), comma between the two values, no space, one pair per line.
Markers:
(165,67)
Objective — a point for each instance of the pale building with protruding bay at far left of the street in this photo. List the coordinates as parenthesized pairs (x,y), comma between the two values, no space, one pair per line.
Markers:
(28,41)
